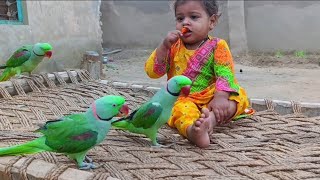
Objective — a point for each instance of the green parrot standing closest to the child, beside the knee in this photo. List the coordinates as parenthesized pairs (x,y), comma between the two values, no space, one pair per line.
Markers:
(152,115)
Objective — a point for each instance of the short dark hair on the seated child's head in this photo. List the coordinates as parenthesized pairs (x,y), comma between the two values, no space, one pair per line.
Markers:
(211,6)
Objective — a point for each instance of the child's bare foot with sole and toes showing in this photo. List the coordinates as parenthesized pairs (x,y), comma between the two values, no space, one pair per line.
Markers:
(199,132)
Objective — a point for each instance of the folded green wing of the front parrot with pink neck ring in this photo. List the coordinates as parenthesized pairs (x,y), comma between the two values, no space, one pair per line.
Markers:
(71,134)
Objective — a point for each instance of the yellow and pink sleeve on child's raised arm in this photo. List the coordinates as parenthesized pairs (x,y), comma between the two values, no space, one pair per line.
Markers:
(154,68)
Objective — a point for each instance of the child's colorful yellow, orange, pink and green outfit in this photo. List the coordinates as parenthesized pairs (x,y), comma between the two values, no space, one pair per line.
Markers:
(210,67)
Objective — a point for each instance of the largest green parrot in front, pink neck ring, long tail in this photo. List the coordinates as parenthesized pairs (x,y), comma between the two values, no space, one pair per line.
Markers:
(74,135)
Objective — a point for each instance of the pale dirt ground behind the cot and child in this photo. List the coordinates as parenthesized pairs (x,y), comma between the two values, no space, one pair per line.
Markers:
(263,75)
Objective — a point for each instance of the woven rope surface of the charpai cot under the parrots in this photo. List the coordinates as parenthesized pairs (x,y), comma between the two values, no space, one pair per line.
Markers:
(264,146)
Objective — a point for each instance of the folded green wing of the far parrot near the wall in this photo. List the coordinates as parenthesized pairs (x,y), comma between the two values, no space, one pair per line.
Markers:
(20,56)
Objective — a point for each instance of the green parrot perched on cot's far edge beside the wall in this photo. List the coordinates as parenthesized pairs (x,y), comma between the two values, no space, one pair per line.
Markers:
(25,59)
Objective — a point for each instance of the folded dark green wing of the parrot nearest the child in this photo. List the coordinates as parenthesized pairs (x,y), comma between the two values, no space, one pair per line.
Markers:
(146,115)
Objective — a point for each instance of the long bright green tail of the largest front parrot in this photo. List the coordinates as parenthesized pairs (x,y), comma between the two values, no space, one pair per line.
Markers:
(35,146)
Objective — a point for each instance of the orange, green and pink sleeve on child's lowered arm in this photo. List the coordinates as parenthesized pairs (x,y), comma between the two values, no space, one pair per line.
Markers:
(224,69)
